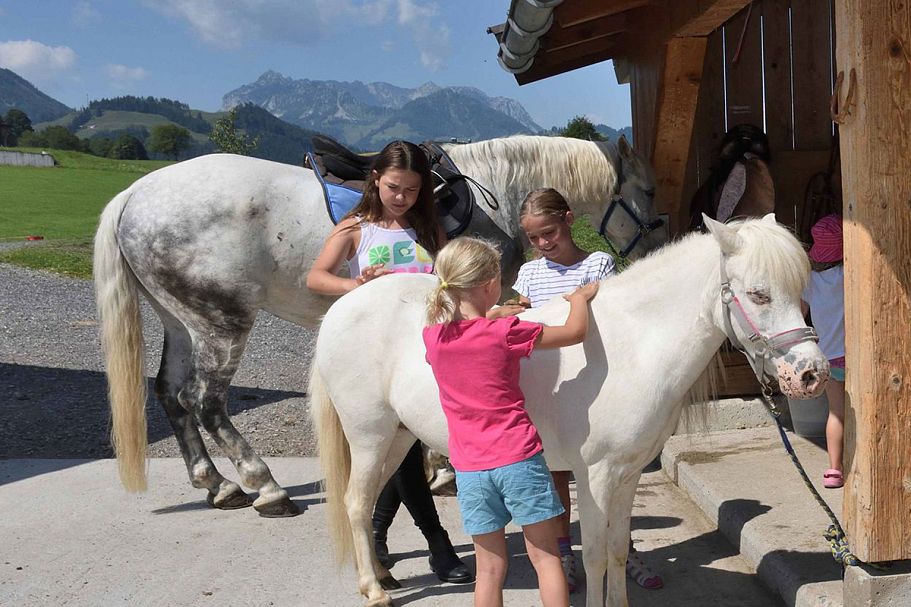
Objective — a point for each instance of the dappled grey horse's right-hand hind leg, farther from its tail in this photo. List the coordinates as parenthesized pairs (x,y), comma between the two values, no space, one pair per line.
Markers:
(214,360)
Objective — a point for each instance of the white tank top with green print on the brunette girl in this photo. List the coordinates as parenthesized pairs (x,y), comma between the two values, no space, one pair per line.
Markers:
(398,250)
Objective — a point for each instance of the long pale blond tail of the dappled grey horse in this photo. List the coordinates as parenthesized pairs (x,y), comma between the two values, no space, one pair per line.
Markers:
(117,298)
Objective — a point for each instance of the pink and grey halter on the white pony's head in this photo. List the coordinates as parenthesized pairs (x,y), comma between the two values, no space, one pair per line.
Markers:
(763,346)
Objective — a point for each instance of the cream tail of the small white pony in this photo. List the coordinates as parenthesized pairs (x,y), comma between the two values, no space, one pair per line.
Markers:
(335,460)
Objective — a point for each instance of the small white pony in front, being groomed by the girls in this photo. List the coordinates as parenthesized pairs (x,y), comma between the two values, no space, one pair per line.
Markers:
(604,408)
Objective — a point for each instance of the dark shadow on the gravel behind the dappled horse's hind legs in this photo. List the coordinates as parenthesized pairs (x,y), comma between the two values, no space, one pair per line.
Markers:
(62,414)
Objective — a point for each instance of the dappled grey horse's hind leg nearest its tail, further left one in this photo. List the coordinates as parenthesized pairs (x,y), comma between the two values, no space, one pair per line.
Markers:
(173,374)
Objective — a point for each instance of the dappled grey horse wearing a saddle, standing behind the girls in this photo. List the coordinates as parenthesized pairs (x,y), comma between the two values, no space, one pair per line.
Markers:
(213,240)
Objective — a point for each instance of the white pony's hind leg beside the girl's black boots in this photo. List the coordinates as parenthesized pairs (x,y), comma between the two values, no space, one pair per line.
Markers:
(370,471)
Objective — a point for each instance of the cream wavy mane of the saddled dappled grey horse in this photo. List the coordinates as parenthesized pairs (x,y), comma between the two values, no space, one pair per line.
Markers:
(580,170)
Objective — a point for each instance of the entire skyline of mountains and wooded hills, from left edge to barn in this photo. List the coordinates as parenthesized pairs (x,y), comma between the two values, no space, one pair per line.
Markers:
(285,113)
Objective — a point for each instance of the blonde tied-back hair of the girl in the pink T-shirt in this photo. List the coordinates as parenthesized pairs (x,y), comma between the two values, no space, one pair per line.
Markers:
(464,263)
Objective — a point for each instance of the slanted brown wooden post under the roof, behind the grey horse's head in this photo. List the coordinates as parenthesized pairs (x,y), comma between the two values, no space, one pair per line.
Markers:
(677,99)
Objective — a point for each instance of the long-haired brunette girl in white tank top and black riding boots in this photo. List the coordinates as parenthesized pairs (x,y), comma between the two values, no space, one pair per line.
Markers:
(393,228)
